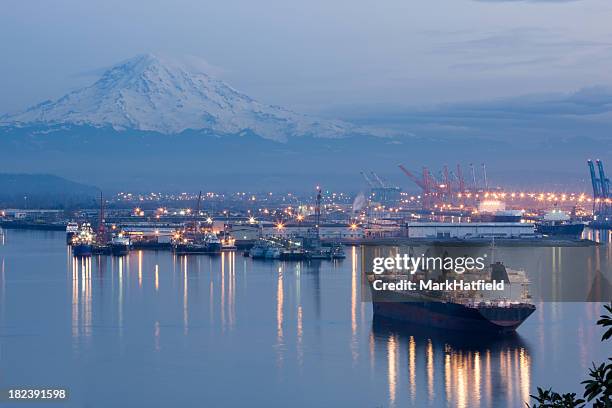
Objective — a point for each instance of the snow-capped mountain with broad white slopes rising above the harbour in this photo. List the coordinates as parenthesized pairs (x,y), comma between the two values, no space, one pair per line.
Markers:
(150,93)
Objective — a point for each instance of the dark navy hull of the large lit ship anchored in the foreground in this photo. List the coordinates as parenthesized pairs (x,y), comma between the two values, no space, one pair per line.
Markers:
(453,316)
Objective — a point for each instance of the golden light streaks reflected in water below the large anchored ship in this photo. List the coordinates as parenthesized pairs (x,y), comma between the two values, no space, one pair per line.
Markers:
(462,370)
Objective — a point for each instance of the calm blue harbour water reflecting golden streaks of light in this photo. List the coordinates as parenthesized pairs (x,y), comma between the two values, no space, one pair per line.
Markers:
(153,330)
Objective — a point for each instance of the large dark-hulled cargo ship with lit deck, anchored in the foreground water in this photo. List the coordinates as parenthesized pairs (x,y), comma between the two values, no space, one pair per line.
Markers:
(460,312)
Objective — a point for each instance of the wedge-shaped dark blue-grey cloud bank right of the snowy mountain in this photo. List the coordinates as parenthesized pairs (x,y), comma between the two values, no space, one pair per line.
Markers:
(528,120)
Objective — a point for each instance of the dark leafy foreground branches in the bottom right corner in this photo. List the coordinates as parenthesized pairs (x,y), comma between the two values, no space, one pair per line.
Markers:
(597,389)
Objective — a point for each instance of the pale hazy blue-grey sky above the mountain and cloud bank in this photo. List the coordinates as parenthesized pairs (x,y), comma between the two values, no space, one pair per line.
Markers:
(311,55)
